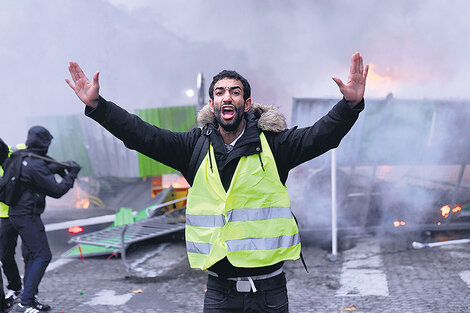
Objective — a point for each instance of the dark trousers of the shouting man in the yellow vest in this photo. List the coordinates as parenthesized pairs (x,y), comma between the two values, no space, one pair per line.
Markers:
(270,297)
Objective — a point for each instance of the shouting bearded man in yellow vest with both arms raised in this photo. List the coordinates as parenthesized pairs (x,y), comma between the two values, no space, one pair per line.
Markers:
(239,225)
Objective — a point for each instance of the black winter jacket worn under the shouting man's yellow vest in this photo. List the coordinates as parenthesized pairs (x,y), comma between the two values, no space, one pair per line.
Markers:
(290,147)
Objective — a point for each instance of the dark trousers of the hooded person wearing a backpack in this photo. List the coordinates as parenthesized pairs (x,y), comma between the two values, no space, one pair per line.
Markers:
(32,233)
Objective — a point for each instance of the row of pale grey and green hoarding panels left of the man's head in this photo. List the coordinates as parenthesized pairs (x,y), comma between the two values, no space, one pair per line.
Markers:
(79,138)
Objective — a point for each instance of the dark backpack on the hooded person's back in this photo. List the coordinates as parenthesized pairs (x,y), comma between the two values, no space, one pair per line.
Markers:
(10,181)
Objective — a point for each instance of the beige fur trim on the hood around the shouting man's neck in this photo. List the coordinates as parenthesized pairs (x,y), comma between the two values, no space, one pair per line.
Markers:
(269,118)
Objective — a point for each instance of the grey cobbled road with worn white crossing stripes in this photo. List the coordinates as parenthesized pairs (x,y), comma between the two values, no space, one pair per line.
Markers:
(374,275)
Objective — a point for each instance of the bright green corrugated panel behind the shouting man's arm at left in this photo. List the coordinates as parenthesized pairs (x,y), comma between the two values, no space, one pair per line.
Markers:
(178,119)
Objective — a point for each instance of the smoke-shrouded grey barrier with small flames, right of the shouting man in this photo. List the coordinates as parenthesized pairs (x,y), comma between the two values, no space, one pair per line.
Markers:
(395,172)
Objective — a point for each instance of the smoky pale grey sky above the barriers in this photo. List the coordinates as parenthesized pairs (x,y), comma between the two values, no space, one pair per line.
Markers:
(149,52)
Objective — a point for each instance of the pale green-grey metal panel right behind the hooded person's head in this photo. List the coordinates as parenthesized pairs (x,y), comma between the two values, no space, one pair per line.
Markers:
(68,143)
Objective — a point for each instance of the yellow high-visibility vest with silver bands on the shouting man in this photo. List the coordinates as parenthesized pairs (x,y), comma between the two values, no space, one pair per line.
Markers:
(251,223)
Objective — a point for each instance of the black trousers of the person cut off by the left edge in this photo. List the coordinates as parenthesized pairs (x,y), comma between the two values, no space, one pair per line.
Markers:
(8,242)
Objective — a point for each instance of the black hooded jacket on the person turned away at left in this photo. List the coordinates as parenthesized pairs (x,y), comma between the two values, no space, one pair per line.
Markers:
(37,177)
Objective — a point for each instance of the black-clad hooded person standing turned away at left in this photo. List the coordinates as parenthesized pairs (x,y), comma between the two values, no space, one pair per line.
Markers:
(37,181)
